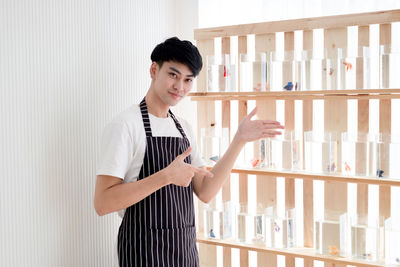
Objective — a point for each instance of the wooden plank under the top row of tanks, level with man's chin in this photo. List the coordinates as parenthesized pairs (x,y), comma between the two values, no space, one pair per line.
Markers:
(319,94)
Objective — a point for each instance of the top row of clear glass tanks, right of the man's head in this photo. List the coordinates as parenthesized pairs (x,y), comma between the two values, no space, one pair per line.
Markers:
(300,70)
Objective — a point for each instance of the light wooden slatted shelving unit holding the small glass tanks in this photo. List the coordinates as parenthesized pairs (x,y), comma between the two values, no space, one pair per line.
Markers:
(335,119)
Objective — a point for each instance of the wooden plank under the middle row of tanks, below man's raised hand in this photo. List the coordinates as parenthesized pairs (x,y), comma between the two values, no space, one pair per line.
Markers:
(317,176)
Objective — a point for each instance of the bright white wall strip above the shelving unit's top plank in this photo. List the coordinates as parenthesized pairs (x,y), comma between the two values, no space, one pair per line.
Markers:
(213,13)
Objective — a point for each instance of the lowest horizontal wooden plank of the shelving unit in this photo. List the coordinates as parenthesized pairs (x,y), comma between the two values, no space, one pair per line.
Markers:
(306,253)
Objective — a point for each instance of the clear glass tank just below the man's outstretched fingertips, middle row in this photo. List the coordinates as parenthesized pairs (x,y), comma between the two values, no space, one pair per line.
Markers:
(284,152)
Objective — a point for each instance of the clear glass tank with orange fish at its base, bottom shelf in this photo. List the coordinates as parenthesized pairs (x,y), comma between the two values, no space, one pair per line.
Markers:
(331,234)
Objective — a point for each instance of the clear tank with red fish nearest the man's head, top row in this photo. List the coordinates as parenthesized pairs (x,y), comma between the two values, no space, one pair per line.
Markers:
(221,73)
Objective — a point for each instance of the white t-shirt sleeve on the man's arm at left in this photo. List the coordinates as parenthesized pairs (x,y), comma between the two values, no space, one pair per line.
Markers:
(115,150)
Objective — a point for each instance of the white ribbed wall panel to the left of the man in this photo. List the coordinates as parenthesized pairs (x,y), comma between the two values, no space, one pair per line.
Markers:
(66,68)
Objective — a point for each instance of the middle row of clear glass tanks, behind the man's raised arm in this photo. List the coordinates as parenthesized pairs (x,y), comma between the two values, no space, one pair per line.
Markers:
(358,154)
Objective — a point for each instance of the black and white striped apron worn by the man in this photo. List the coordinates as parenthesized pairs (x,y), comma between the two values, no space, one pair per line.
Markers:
(160,229)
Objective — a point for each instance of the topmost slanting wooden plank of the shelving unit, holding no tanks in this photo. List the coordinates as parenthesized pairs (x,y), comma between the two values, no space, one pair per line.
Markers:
(359,19)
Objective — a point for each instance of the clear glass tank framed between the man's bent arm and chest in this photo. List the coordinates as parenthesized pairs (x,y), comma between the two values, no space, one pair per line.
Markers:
(213,142)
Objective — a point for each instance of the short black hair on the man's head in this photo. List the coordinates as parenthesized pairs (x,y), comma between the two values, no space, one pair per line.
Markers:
(181,51)
